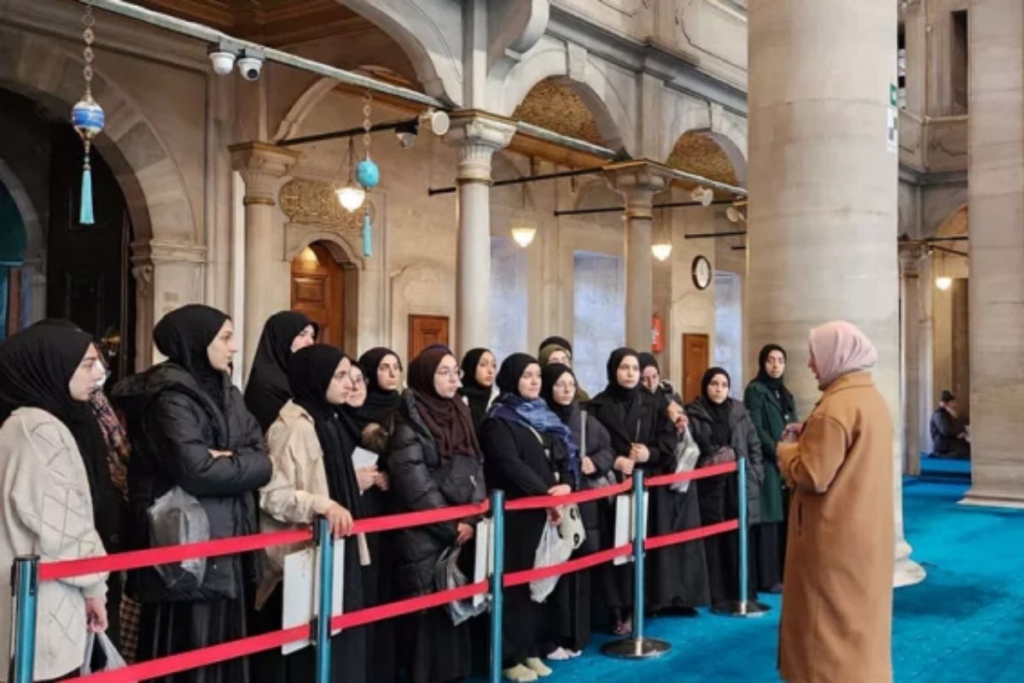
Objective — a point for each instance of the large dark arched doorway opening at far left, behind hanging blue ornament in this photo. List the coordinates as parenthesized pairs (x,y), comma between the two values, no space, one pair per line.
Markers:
(88,272)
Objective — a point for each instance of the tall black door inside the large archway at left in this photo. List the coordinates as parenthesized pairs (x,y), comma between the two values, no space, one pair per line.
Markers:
(89,278)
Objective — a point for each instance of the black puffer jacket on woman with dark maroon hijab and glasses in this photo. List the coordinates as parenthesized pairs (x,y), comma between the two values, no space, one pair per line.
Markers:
(421,480)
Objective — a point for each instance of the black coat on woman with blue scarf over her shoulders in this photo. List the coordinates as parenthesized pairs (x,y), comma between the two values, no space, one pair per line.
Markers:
(524,463)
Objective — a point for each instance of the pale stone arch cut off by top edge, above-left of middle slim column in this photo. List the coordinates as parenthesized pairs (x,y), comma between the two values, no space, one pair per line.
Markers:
(412,24)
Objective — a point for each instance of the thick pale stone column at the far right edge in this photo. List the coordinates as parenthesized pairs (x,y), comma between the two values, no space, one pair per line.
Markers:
(997,251)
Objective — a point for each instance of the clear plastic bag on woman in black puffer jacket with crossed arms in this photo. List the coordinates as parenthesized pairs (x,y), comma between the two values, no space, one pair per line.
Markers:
(178,519)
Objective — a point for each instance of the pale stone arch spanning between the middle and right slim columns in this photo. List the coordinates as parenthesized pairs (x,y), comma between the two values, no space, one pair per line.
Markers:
(553,62)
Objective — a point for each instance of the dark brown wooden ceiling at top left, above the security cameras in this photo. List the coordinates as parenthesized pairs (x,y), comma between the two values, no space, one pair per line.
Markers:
(273,23)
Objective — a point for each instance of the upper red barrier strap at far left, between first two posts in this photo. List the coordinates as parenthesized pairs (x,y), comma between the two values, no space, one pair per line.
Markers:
(165,556)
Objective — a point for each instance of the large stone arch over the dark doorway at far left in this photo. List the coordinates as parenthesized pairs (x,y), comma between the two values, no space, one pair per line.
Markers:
(150,179)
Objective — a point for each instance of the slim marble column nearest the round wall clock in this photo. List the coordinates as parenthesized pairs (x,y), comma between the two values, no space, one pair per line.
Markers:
(638,183)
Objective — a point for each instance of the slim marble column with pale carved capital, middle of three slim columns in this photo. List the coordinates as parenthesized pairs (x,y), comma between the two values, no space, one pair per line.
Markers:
(478,137)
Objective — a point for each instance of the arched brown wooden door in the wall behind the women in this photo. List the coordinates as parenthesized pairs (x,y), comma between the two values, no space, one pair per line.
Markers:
(324,288)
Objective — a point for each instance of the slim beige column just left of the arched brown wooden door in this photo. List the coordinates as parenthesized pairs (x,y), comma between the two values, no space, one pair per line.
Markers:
(264,167)
